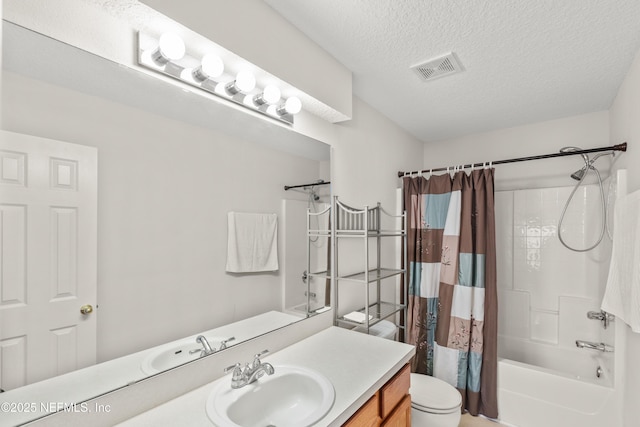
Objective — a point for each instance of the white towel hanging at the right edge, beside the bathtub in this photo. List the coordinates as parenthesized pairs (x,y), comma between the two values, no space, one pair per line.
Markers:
(622,294)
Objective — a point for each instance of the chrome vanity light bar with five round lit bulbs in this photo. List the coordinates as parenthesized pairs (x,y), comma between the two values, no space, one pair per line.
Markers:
(168,55)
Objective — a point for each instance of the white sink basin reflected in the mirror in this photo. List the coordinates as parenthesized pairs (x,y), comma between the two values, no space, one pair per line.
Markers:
(175,354)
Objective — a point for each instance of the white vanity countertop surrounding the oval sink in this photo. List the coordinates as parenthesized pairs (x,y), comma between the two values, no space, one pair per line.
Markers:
(356,364)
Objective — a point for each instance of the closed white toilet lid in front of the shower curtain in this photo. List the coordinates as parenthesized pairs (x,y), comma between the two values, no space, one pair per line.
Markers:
(433,394)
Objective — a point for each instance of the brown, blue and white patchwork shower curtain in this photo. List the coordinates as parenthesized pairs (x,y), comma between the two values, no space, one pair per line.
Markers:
(453,305)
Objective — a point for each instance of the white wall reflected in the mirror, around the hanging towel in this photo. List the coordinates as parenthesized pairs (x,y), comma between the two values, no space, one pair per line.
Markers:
(164,191)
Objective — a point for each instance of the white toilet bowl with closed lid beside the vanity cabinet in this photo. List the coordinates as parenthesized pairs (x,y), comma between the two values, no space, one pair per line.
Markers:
(434,403)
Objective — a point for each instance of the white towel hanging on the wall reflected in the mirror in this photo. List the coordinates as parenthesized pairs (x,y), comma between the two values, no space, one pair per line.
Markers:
(252,243)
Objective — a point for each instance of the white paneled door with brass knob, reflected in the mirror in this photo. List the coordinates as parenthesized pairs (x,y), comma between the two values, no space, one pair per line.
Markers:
(48,245)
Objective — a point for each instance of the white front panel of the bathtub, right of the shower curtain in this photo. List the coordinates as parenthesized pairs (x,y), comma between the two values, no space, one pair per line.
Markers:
(529,396)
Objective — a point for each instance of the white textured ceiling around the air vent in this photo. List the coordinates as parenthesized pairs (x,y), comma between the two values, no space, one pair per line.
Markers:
(524,61)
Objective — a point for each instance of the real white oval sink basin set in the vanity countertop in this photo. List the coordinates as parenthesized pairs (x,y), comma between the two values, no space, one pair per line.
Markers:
(291,397)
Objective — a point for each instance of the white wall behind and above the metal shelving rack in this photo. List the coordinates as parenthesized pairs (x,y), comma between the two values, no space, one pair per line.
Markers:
(368,152)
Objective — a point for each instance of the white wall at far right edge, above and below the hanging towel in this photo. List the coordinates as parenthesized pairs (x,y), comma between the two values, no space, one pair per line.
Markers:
(625,126)
